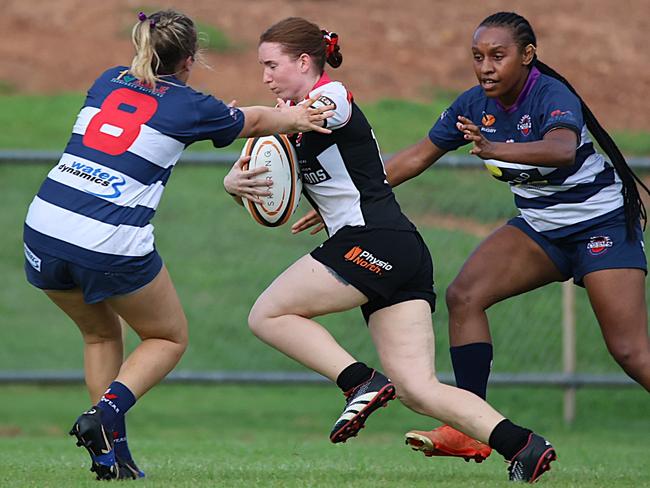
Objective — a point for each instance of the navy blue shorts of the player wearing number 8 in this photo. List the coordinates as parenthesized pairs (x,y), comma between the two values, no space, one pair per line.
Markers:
(52,273)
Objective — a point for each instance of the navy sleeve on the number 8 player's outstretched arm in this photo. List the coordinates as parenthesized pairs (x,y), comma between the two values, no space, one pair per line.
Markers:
(216,121)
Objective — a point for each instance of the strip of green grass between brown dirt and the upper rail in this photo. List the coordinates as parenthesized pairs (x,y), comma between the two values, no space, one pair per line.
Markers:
(397,123)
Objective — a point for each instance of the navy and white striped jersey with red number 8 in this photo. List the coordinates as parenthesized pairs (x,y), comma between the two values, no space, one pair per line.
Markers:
(95,206)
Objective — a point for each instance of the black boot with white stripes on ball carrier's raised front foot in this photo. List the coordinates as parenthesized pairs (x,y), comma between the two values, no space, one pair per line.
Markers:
(361,402)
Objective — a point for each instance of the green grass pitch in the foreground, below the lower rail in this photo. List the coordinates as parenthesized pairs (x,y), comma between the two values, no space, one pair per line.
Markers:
(195,436)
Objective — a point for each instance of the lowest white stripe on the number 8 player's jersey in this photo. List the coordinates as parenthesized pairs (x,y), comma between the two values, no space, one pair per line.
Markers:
(122,240)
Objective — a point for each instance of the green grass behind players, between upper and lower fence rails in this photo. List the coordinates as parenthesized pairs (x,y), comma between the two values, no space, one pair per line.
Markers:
(219,272)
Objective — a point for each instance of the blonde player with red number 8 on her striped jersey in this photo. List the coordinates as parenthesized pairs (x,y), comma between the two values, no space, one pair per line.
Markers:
(88,239)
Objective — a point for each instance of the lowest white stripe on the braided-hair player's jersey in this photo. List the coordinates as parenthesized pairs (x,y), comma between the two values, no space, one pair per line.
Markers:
(565,214)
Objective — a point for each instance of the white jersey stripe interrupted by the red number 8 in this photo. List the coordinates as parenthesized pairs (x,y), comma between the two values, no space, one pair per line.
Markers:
(154,146)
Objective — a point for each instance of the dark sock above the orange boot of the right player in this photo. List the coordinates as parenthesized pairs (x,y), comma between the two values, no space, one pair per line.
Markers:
(472,364)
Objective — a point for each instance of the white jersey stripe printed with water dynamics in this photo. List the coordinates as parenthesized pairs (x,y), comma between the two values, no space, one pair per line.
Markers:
(121,189)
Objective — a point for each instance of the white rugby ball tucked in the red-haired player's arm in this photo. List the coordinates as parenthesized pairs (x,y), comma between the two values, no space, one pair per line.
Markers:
(279,156)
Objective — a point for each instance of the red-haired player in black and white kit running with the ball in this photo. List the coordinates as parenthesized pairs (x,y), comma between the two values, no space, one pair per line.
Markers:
(374,258)
